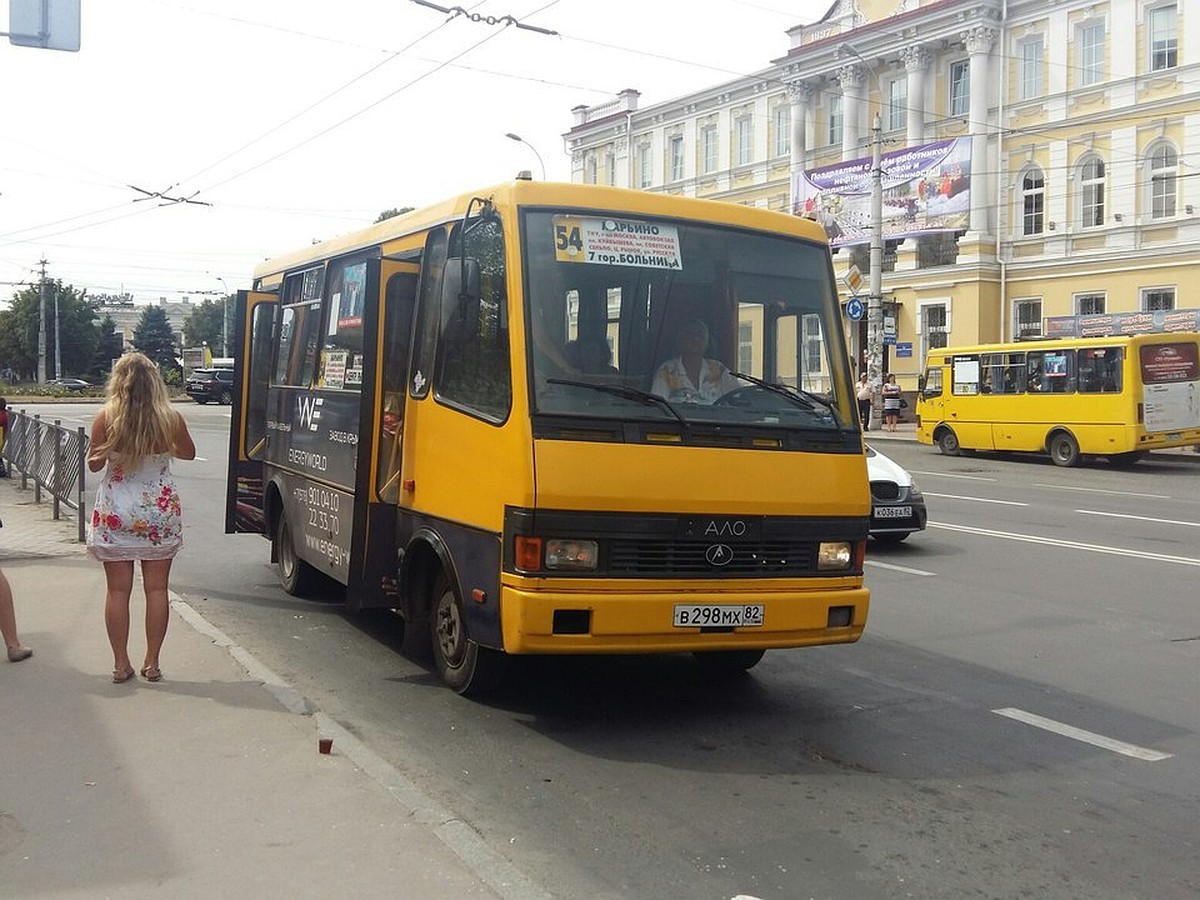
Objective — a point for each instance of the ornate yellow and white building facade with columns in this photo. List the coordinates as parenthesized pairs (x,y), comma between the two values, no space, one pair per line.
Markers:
(1081,122)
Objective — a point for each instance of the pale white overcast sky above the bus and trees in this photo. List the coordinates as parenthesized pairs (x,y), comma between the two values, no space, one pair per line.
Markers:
(190,140)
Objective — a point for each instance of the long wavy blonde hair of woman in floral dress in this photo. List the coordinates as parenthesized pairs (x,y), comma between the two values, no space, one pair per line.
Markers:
(140,421)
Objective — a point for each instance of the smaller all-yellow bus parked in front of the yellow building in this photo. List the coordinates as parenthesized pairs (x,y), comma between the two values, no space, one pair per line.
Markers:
(1108,397)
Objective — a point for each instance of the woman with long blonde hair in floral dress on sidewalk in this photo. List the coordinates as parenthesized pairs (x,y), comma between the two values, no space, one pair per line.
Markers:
(139,517)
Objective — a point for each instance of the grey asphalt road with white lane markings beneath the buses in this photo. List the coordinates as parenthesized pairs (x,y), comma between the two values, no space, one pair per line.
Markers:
(1021,719)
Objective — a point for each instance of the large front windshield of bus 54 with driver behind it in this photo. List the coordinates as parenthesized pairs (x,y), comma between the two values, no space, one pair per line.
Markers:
(673,321)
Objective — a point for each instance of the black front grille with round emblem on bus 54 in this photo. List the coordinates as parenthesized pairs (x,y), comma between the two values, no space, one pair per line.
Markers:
(769,559)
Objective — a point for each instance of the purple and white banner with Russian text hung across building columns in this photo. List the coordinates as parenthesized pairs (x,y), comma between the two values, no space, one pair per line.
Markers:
(926,189)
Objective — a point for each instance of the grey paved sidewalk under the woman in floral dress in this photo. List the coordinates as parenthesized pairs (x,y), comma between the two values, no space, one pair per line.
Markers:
(208,784)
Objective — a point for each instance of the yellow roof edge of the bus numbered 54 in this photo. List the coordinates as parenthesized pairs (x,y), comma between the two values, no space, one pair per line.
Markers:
(543,194)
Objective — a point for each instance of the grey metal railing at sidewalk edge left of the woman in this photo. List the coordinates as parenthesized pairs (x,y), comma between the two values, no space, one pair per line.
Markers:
(52,458)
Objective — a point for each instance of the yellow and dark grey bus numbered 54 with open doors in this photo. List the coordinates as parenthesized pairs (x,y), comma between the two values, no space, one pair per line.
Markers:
(472,413)
